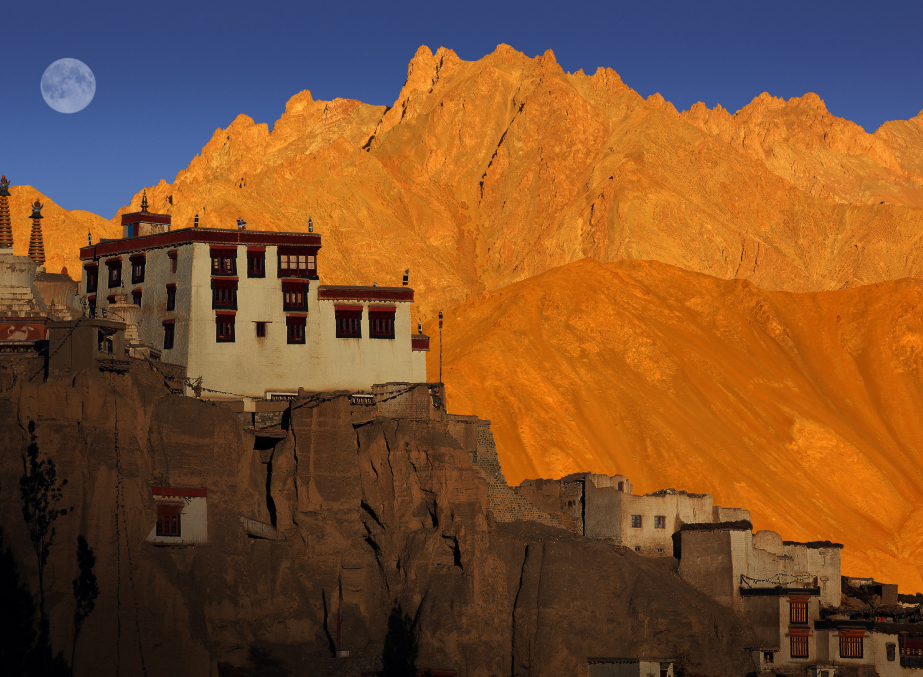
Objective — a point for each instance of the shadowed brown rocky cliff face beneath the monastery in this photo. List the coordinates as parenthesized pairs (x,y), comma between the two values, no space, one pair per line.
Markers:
(393,508)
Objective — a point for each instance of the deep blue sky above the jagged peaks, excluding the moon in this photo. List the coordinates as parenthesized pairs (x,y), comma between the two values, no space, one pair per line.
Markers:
(169,73)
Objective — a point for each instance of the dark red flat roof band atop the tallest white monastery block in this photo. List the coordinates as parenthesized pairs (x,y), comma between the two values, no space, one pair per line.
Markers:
(214,236)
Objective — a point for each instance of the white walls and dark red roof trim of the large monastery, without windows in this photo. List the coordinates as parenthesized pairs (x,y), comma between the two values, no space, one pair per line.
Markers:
(251,365)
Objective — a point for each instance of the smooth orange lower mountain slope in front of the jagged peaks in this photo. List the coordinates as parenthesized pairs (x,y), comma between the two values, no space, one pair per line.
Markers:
(803,408)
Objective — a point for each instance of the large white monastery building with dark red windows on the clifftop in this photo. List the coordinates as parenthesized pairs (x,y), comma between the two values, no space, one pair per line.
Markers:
(244,309)
